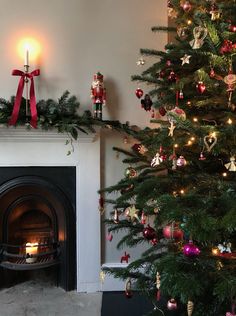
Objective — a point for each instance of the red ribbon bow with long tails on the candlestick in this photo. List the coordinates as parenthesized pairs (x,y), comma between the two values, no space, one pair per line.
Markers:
(16,108)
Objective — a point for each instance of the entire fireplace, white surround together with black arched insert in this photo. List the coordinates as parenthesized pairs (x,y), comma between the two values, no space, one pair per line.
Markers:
(49,219)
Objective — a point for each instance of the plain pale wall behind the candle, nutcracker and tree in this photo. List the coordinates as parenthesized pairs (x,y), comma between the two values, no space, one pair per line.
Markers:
(79,38)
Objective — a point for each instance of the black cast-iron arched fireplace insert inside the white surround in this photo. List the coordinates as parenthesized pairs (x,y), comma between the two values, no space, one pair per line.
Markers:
(38,204)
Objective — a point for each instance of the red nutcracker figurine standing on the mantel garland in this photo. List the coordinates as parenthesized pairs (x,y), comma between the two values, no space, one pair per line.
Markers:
(98,95)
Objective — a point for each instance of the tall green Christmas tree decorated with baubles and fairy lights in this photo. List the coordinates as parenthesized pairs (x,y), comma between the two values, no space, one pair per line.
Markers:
(178,194)
